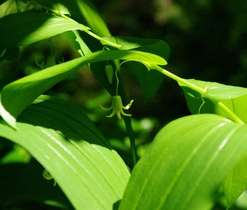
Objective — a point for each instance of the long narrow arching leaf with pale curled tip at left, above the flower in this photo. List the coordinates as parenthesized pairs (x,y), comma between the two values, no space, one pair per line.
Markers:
(16,96)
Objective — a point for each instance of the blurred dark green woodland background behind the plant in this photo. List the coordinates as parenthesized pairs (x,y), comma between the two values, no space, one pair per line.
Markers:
(207,40)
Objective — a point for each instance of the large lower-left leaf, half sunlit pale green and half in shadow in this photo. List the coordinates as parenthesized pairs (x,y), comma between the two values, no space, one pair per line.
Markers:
(69,146)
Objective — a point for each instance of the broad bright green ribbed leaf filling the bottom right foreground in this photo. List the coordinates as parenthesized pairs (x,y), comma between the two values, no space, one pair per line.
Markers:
(186,163)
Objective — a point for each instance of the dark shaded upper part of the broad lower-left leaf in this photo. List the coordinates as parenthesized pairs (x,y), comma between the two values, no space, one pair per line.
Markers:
(62,116)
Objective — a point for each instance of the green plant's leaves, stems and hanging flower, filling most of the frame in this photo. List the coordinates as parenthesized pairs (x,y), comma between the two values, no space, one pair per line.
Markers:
(191,163)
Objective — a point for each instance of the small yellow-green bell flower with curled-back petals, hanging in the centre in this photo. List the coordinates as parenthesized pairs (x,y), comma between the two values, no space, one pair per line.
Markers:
(118,108)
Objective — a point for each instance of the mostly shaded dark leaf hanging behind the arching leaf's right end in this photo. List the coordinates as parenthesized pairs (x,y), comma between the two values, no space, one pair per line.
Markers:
(150,81)
